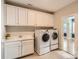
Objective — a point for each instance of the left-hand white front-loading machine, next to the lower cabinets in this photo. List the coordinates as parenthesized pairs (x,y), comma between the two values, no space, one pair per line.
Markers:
(42,42)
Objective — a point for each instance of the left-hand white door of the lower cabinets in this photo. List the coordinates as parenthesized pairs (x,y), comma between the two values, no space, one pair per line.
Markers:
(12,50)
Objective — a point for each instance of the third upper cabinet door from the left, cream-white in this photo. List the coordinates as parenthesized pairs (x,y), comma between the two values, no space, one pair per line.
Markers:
(31,17)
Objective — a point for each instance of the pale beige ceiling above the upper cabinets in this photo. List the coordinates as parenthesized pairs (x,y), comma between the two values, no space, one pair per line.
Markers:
(49,5)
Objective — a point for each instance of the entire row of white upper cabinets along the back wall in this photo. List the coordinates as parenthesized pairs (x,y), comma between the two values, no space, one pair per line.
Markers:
(26,17)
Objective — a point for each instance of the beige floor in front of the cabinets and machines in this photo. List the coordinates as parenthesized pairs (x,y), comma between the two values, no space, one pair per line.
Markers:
(51,55)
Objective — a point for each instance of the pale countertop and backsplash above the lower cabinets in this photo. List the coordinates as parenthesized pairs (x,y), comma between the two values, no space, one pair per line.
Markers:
(20,36)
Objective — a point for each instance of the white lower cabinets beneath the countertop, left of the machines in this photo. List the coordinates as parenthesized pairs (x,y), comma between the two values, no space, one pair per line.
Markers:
(18,48)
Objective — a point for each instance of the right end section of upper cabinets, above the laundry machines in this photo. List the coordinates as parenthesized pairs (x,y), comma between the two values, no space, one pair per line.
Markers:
(44,19)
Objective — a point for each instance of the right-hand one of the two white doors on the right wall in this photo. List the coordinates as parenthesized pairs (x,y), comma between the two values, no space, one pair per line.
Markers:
(73,34)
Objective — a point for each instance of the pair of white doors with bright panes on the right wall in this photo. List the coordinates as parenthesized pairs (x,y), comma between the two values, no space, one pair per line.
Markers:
(69,34)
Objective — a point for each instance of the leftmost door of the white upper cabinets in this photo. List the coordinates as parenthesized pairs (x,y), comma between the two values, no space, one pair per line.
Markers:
(12,15)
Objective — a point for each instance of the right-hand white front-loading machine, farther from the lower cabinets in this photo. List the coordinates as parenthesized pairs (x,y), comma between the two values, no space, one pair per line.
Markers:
(53,39)
